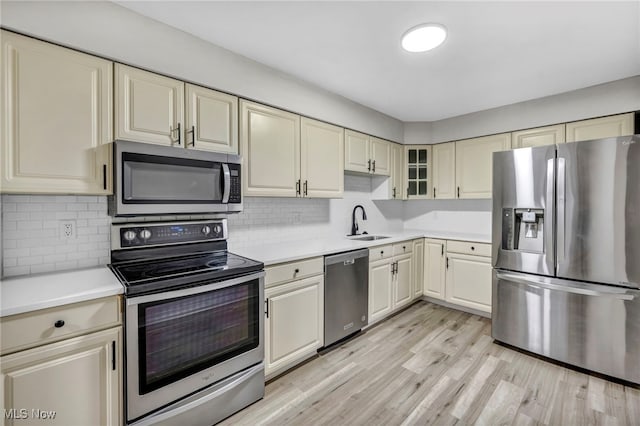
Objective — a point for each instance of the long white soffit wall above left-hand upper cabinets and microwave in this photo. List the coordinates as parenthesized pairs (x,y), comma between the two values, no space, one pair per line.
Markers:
(111,31)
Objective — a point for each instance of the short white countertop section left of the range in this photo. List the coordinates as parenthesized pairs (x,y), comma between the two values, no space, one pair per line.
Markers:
(30,293)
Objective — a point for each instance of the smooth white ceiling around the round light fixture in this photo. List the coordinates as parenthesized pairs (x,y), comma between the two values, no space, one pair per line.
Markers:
(497,53)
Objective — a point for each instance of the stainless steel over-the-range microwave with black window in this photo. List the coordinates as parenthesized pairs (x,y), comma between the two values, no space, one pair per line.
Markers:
(160,180)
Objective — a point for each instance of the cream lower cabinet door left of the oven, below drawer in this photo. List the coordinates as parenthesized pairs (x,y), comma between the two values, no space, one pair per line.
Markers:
(78,379)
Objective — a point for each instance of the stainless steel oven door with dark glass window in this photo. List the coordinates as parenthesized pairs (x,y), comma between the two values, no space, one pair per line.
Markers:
(181,341)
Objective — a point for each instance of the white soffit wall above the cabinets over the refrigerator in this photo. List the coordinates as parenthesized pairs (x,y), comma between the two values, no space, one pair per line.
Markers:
(604,99)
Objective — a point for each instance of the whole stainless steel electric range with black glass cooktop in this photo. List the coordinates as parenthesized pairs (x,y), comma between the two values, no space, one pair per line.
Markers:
(194,322)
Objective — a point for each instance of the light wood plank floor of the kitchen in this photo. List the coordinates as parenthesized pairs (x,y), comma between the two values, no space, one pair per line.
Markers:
(435,365)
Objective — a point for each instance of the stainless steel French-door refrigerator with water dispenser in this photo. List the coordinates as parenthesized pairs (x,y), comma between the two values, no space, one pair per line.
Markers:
(566,253)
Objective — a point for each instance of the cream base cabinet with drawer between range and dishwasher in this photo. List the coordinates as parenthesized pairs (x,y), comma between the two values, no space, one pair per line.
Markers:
(294,314)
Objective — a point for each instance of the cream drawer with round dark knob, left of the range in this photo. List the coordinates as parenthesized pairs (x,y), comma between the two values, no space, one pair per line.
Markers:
(43,326)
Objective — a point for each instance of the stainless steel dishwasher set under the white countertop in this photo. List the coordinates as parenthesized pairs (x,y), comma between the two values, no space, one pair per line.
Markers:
(346,294)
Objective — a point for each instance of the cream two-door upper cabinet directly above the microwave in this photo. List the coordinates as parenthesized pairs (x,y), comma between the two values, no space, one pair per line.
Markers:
(152,108)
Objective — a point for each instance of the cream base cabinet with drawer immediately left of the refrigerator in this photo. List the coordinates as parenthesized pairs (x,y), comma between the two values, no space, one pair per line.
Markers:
(468,281)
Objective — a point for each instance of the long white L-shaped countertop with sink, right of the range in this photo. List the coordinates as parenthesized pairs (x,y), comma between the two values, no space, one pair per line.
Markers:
(272,254)
